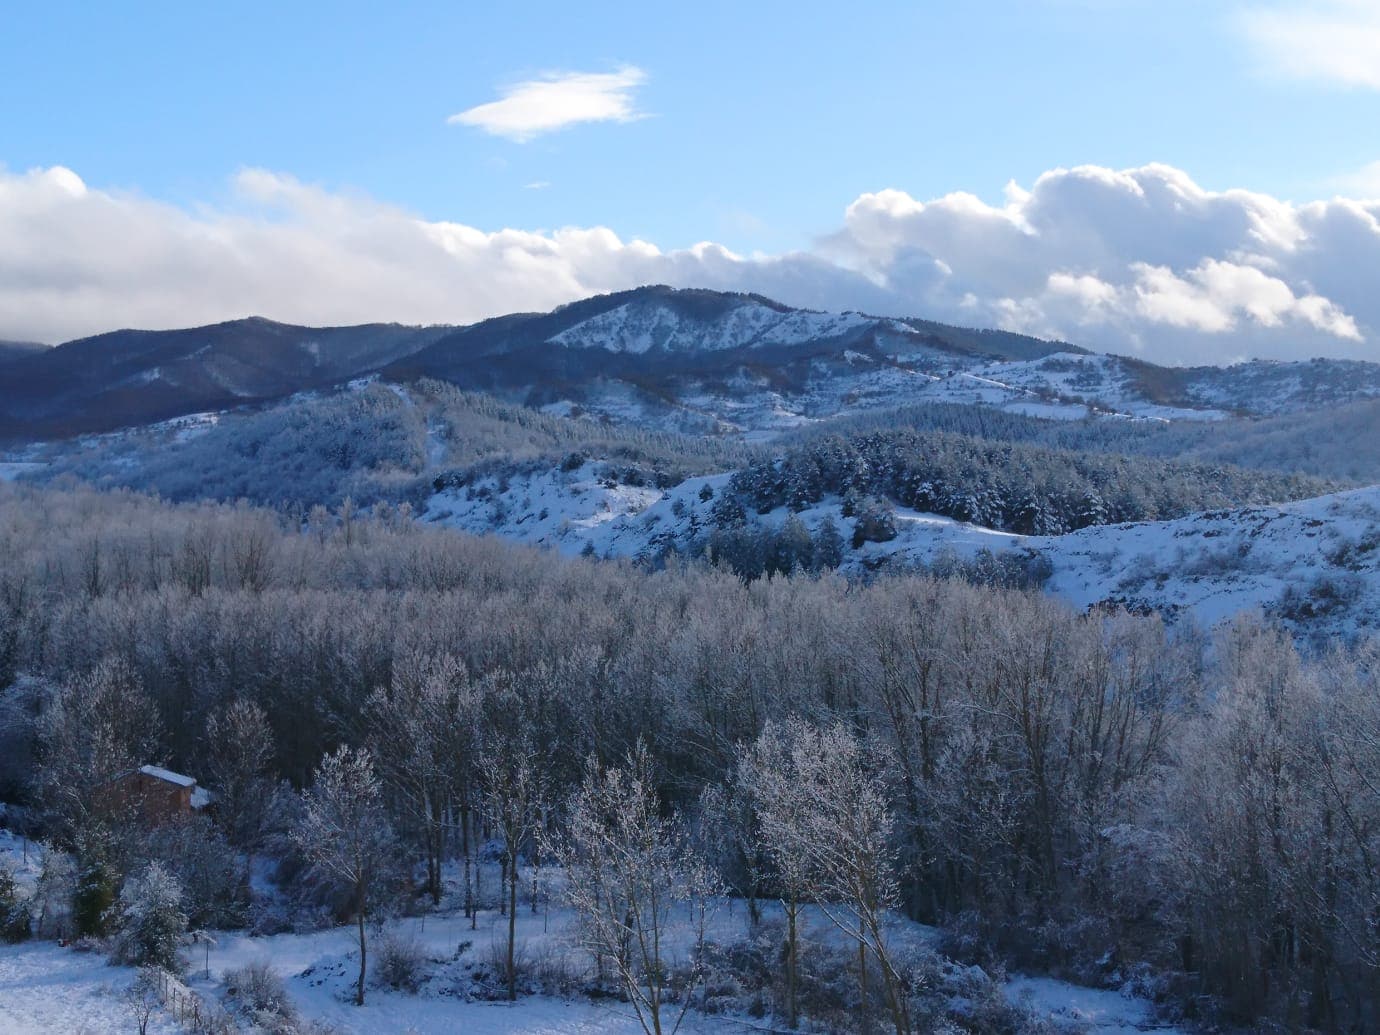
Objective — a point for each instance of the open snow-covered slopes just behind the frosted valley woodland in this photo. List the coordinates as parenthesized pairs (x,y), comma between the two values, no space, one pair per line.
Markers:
(1314,564)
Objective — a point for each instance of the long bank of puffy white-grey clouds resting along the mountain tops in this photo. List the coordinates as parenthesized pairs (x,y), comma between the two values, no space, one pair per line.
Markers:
(1141,262)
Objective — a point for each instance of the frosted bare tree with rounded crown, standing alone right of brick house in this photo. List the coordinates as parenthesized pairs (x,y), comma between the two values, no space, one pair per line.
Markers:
(347,836)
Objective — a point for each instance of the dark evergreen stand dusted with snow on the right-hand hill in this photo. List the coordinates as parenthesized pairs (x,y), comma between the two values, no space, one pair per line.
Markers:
(1032,491)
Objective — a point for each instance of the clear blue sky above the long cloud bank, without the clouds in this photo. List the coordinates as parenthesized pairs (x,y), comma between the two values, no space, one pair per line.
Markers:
(750,125)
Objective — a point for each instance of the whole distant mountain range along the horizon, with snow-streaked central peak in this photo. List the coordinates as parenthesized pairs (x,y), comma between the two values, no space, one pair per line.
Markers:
(685,361)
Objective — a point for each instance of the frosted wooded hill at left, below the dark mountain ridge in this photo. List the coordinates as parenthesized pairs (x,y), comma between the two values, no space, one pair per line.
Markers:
(379,444)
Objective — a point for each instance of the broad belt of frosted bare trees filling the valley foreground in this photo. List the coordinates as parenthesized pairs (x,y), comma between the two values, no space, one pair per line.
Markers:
(1088,794)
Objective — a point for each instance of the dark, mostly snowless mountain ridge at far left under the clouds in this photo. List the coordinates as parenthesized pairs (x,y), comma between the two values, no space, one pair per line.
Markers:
(136,377)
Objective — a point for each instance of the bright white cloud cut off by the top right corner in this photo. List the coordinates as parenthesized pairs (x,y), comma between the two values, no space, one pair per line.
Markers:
(1324,41)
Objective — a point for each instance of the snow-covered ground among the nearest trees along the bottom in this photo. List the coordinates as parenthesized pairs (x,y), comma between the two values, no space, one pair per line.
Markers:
(46,989)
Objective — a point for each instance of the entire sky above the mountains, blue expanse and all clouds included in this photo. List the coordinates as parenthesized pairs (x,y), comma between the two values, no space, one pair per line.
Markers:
(1181,181)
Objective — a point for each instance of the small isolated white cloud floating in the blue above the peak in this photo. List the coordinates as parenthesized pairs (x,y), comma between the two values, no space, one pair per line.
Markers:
(557,100)
